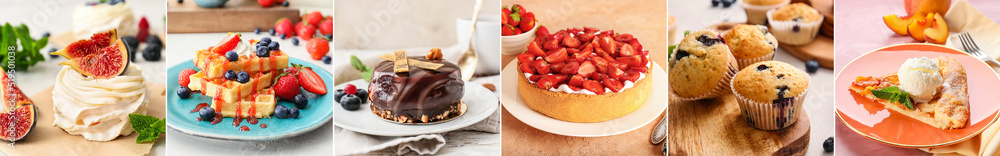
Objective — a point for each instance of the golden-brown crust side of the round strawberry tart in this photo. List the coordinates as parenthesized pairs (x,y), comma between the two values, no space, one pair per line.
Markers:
(581,107)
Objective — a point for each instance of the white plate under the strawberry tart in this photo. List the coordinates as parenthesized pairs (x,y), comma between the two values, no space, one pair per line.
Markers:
(654,106)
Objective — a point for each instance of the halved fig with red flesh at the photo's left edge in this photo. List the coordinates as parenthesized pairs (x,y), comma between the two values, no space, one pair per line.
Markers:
(17,112)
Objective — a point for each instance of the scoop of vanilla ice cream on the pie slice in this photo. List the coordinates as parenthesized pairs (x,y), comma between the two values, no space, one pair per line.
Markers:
(920,77)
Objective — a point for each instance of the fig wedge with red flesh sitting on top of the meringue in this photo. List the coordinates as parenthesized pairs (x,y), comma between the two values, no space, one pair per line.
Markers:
(102,56)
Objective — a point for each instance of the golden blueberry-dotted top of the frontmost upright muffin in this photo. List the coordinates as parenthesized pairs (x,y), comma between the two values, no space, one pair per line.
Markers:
(770,81)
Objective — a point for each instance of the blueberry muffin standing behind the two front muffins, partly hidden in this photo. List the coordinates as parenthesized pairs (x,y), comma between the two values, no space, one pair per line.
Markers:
(751,44)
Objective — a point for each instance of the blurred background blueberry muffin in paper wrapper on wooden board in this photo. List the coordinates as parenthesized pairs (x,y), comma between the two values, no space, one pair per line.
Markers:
(795,24)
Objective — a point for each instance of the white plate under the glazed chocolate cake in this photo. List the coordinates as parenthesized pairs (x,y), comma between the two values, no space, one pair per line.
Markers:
(481,104)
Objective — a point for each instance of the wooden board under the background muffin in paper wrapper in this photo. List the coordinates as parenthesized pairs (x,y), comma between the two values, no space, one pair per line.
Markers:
(820,49)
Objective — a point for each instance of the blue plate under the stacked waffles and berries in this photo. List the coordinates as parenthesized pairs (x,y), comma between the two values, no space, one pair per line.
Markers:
(320,111)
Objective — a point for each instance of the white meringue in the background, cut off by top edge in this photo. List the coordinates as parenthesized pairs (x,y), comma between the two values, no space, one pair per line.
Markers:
(89,20)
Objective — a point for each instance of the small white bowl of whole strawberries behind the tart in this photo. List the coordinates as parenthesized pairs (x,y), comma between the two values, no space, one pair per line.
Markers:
(518,27)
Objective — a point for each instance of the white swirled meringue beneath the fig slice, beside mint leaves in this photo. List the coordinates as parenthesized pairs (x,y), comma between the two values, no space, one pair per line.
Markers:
(98,109)
